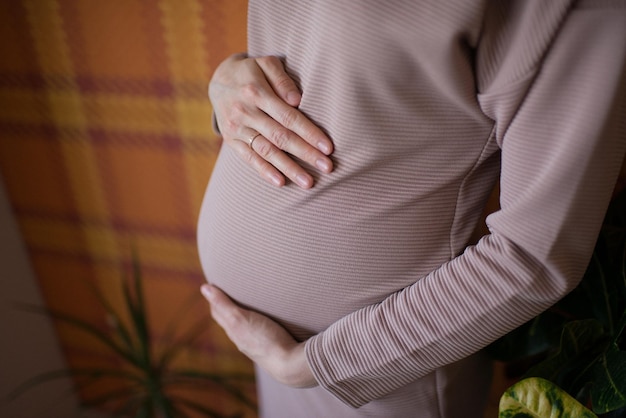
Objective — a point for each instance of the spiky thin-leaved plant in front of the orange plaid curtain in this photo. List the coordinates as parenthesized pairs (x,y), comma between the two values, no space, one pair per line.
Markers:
(147,382)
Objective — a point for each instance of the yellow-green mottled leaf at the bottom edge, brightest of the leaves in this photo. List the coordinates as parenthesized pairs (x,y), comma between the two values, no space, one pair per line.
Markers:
(536,397)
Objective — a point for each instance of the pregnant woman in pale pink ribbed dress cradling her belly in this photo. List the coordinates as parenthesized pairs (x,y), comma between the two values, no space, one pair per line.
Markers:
(362,140)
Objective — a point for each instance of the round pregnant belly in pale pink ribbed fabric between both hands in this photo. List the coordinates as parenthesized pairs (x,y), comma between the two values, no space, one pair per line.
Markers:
(309,257)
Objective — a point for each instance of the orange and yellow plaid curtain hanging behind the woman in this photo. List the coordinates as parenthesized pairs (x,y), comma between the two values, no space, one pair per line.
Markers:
(106,142)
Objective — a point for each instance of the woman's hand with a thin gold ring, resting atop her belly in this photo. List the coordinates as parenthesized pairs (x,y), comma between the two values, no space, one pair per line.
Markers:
(253,96)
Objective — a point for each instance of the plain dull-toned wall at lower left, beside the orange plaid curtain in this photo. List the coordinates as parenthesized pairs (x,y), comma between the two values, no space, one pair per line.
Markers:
(28,344)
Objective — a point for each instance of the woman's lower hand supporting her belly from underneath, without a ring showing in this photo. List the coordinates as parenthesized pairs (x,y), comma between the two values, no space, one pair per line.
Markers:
(264,341)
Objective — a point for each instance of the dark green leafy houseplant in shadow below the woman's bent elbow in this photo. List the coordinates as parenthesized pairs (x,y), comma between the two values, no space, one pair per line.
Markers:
(580,343)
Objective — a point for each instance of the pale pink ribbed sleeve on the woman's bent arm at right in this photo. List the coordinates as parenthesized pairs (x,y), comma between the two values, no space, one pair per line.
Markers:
(561,128)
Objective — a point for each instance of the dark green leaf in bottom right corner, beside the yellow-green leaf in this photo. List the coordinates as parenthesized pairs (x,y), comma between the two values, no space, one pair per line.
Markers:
(608,391)
